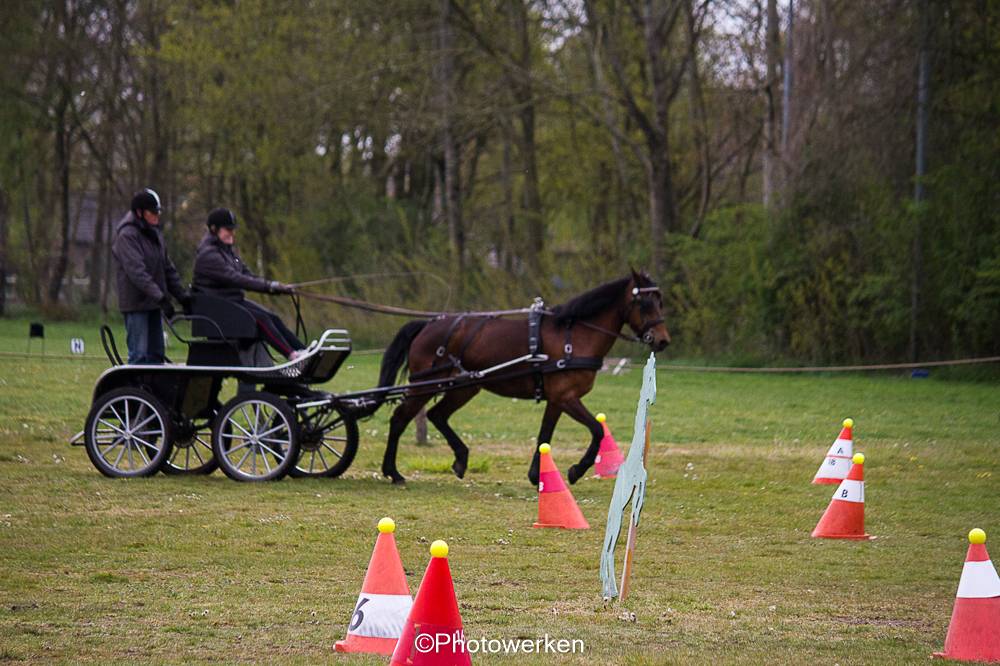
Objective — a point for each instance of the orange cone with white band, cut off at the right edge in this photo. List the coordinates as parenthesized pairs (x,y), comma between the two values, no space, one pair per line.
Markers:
(974,632)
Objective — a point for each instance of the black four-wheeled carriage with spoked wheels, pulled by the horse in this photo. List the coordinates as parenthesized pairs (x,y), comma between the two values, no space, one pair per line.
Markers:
(149,418)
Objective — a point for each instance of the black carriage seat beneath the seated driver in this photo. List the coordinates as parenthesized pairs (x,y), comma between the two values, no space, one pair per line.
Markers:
(226,334)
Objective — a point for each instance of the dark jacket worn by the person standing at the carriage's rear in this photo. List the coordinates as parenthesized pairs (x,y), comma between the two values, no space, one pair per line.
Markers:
(144,271)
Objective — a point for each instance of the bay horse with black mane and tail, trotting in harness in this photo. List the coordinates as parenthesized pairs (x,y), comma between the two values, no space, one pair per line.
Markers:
(579,333)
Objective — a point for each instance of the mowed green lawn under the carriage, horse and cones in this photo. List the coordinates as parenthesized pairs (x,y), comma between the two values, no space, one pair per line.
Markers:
(205,569)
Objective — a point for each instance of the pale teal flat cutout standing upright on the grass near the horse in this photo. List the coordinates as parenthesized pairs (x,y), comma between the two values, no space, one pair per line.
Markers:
(630,486)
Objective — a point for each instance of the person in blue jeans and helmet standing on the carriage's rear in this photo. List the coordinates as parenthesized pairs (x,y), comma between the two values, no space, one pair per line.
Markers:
(145,275)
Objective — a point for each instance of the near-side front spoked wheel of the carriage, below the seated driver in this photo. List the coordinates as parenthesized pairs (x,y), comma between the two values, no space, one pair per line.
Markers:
(255,437)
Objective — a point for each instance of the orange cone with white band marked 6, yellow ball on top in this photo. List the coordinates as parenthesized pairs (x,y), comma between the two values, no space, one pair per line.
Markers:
(384,600)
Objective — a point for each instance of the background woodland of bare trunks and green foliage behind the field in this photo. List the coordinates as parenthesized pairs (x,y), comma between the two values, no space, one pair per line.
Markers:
(758,159)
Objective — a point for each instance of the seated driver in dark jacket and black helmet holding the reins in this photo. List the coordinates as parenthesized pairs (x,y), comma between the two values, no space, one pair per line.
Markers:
(218,270)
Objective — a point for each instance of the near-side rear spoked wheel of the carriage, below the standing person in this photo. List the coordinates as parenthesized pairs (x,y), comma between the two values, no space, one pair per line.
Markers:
(128,433)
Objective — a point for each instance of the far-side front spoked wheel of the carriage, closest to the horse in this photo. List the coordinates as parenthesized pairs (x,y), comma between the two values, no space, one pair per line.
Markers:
(328,441)
